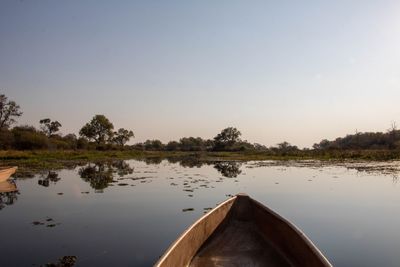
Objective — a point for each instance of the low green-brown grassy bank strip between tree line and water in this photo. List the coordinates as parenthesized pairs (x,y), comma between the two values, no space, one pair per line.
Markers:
(58,158)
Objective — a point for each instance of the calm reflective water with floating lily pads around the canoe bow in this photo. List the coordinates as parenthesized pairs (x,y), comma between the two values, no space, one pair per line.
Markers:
(126,213)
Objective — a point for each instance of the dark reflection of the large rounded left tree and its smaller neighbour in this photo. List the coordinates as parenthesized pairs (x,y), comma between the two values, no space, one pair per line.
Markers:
(101,174)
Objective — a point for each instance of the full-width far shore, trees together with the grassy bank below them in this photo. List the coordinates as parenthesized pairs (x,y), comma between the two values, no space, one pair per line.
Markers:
(25,145)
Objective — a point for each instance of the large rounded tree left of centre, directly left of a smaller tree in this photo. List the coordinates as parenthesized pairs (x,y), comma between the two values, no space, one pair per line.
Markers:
(99,129)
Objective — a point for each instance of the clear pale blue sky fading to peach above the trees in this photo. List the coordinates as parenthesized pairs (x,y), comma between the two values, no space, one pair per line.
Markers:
(296,71)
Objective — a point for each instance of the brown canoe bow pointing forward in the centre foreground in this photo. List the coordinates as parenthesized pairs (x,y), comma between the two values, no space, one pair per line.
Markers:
(242,232)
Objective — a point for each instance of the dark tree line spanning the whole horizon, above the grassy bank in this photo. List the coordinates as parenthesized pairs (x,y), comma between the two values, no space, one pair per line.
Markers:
(99,134)
